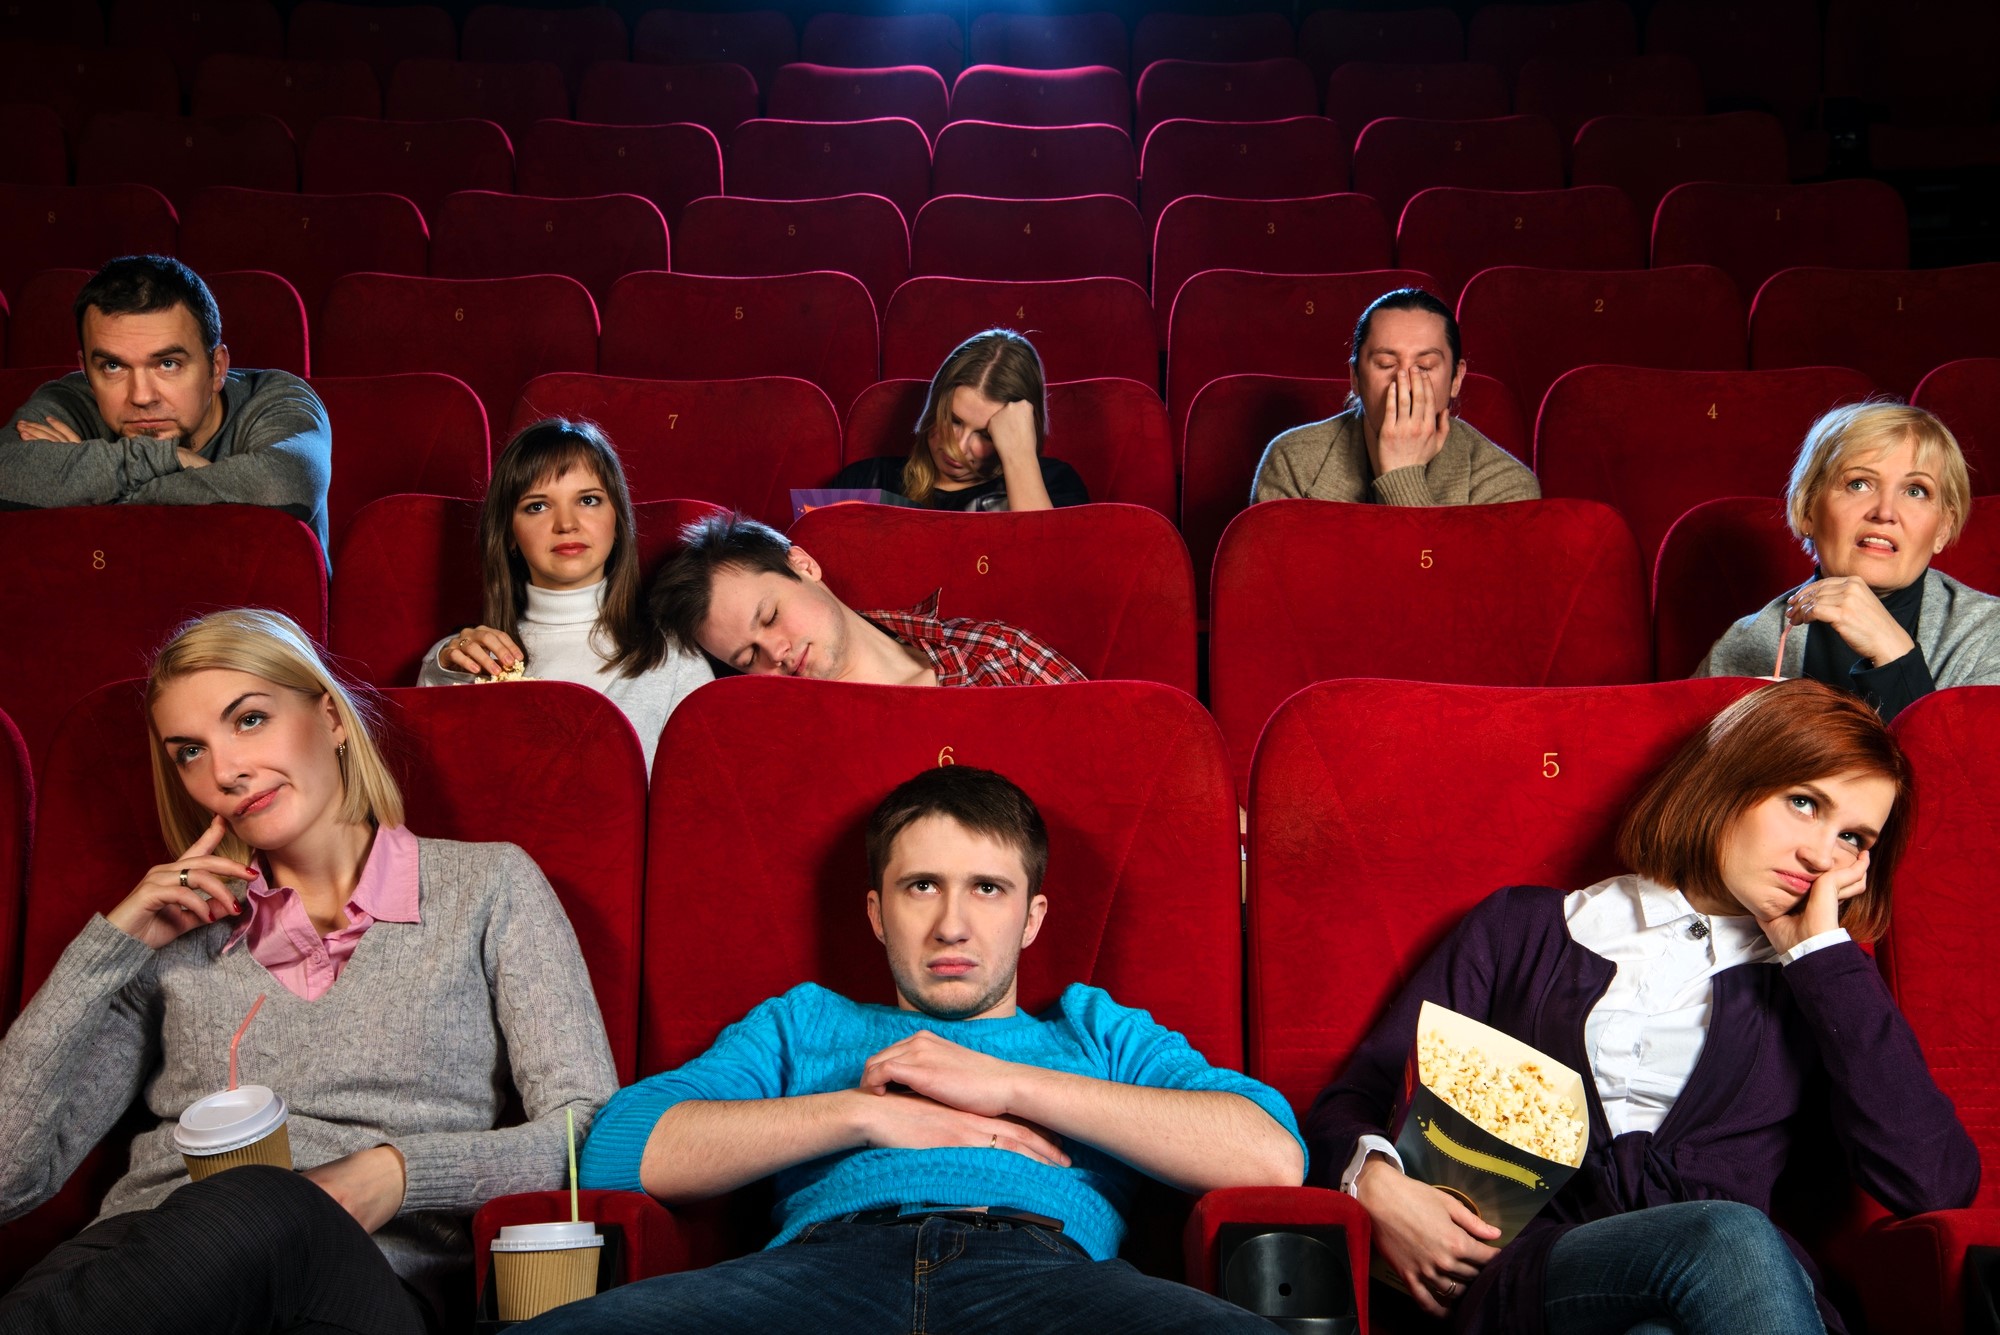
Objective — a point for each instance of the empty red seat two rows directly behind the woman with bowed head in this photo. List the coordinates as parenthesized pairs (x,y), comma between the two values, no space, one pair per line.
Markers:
(1087,237)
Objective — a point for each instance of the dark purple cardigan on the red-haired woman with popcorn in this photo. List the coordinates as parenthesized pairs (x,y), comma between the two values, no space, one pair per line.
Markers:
(1819,1034)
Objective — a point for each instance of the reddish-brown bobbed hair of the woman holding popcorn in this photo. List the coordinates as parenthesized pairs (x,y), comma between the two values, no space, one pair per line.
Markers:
(1775,738)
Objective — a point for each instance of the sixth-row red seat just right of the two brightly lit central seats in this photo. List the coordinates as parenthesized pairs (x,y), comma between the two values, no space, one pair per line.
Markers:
(1245,161)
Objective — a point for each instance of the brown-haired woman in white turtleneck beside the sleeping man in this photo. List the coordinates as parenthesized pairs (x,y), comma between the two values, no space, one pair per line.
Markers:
(563,583)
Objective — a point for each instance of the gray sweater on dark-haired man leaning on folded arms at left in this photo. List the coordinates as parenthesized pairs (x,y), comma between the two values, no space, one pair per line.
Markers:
(275,449)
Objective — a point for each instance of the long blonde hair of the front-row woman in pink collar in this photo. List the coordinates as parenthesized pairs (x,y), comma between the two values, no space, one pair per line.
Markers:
(271,647)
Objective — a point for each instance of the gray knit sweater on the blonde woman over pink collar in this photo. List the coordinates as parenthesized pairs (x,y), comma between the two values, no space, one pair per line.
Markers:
(417,1046)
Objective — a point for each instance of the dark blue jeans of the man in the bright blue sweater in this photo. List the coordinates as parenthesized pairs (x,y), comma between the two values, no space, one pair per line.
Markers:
(919,1276)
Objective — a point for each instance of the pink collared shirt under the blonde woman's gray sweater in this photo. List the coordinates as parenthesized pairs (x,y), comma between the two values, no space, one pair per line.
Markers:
(293,950)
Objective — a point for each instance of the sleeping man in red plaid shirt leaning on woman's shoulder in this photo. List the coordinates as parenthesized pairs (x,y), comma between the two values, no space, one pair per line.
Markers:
(747,597)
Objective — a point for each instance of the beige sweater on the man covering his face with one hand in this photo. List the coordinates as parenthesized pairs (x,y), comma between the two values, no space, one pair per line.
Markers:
(1329,461)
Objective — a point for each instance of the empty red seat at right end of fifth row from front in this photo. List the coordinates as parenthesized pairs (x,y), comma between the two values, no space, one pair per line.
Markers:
(1751,233)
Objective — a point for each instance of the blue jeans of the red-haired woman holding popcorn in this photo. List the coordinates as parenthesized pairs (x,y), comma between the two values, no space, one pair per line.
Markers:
(1697,1268)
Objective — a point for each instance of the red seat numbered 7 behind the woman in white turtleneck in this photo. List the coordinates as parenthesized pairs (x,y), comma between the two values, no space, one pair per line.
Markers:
(743,445)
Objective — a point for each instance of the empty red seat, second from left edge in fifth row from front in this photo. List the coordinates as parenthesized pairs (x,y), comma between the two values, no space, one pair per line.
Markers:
(309,239)
